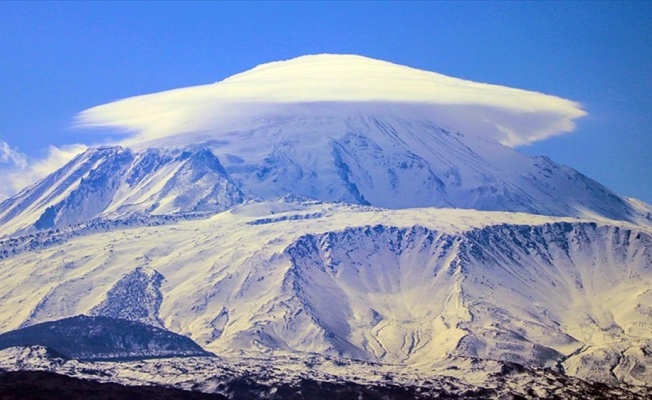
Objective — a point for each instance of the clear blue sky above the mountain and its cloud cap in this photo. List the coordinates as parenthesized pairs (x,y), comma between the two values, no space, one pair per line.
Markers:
(57,59)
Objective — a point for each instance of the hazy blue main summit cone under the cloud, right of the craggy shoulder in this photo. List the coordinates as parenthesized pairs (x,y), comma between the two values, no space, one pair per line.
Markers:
(386,157)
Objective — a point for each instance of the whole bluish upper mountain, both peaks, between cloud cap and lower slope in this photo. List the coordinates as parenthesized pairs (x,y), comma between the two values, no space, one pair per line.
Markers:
(368,159)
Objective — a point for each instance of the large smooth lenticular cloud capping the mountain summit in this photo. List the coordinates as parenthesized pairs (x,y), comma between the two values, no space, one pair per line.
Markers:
(511,116)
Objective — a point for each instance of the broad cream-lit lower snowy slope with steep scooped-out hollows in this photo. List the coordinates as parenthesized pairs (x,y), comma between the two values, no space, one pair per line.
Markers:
(397,286)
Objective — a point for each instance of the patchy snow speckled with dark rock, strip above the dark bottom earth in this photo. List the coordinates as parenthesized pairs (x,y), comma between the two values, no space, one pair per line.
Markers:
(458,377)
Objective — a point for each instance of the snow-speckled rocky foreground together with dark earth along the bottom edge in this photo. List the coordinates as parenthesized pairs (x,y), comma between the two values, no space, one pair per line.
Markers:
(283,377)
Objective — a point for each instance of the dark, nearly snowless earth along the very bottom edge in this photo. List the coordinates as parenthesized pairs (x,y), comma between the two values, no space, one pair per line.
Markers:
(41,385)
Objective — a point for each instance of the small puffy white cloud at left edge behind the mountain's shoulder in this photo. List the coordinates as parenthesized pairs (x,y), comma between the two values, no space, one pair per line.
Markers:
(17,171)
